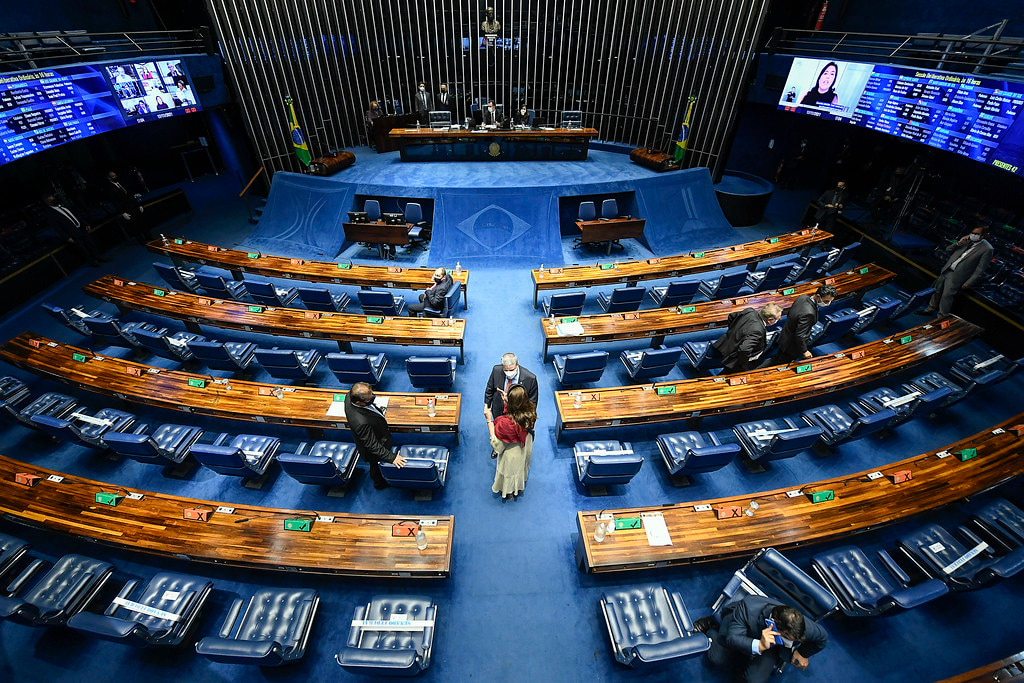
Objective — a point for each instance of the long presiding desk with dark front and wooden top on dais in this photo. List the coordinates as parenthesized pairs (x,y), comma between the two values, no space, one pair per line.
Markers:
(494,145)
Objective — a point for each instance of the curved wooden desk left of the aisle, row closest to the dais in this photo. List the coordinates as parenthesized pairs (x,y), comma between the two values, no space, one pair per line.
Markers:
(238,262)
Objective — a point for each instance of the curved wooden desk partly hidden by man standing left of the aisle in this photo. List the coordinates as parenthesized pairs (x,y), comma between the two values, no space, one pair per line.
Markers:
(235,400)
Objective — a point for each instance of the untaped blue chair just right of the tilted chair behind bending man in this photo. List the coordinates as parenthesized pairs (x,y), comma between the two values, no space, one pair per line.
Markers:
(864,590)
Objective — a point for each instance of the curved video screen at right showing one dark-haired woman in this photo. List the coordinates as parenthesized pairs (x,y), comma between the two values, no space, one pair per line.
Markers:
(975,117)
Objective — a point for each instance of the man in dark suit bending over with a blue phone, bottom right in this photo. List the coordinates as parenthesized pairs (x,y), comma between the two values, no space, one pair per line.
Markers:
(745,639)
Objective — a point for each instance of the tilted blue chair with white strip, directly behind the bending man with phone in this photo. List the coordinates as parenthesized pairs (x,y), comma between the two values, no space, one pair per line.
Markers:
(771,574)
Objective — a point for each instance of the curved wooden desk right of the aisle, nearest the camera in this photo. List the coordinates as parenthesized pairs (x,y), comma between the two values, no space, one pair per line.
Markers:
(860,504)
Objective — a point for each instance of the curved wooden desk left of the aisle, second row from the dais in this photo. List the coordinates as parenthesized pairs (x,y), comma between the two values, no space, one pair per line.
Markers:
(344,328)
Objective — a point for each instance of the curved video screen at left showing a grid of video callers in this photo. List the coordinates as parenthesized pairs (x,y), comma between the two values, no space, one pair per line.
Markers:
(46,108)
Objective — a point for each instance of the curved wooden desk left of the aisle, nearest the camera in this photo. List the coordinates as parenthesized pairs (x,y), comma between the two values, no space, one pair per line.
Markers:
(254,538)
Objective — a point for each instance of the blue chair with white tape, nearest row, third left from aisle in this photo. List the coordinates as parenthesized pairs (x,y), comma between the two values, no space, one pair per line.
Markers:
(176,593)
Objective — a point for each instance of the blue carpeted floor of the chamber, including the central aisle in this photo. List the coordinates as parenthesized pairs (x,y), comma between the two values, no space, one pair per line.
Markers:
(516,608)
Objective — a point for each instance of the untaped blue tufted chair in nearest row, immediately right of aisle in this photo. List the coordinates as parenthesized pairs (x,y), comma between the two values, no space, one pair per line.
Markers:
(649,626)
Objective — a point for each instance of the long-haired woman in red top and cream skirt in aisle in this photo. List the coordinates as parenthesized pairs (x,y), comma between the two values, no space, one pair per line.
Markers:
(513,441)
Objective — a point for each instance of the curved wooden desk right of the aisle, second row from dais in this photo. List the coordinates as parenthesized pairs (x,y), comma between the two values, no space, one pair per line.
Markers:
(659,323)
